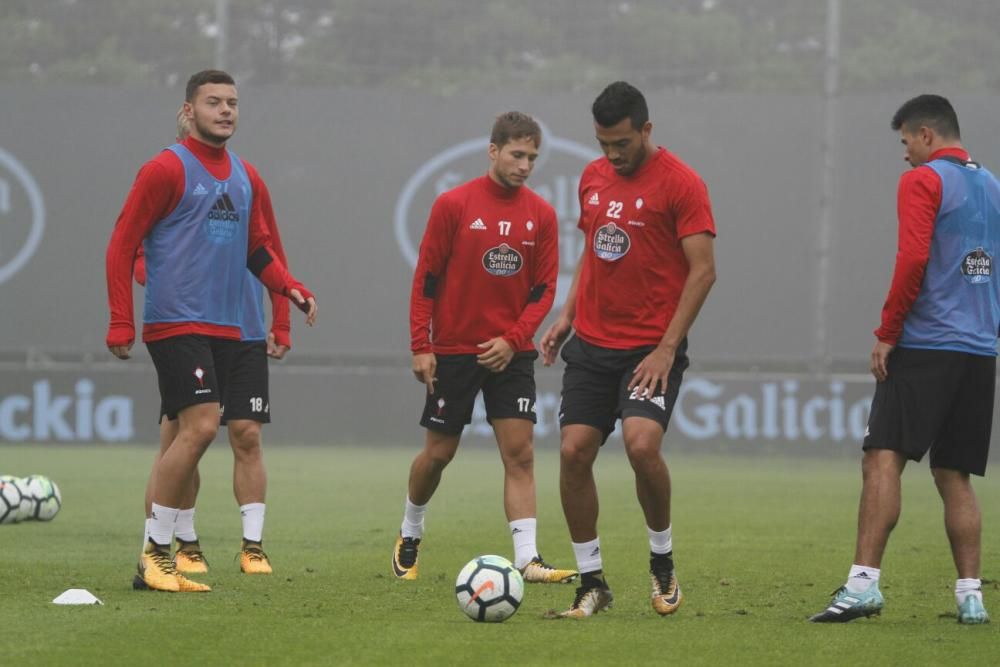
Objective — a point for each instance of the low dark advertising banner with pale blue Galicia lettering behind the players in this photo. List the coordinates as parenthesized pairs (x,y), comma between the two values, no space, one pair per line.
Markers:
(381,406)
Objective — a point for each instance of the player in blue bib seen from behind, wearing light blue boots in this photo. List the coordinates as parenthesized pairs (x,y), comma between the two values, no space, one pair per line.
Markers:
(934,358)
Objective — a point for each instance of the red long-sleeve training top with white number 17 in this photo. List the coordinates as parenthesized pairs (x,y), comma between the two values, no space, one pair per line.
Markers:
(487,267)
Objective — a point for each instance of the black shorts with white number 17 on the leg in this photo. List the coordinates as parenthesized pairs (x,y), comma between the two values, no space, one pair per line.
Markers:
(507,394)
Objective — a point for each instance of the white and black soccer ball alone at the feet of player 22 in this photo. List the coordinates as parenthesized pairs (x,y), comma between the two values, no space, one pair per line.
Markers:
(489,588)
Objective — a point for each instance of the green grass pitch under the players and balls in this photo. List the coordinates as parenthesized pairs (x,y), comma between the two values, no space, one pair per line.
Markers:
(759,543)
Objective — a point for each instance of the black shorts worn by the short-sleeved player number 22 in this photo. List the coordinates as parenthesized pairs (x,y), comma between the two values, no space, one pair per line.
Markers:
(595,386)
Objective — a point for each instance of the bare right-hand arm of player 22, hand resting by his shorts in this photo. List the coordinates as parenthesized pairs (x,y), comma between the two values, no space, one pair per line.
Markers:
(654,370)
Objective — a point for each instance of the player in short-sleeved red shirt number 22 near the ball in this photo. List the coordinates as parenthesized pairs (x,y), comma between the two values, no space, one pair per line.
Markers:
(647,267)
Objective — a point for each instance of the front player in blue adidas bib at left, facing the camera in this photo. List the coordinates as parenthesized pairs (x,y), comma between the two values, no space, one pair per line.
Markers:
(194,208)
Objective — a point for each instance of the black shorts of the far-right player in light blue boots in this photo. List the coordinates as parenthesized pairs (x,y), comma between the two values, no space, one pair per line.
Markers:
(938,401)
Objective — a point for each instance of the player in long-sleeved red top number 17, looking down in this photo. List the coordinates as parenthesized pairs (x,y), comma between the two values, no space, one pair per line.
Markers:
(485,279)
